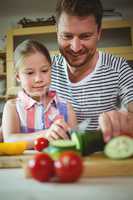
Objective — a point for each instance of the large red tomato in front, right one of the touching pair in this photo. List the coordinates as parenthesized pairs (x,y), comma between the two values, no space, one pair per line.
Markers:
(69,167)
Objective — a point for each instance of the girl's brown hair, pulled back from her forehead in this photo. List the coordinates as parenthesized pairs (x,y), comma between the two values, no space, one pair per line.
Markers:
(27,48)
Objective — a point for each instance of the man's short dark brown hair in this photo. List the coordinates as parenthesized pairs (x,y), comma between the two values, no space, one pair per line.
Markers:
(81,8)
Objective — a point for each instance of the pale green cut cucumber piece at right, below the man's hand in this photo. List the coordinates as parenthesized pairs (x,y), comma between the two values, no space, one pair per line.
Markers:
(120,147)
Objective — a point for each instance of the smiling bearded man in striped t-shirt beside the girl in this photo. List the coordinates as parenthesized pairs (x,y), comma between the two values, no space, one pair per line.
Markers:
(96,83)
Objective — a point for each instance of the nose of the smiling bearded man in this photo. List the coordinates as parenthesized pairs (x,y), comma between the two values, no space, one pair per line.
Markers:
(76,44)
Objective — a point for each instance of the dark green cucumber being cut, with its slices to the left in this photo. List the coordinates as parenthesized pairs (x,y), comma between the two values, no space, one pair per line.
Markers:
(85,143)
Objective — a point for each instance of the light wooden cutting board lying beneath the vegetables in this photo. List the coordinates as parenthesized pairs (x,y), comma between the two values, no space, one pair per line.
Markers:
(96,165)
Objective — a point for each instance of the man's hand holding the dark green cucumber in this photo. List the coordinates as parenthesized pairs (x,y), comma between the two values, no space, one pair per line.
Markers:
(114,123)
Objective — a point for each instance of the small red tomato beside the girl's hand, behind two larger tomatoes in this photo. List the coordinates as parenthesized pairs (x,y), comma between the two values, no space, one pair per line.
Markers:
(40,143)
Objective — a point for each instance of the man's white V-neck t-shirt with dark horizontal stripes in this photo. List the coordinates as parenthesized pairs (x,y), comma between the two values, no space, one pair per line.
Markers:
(105,89)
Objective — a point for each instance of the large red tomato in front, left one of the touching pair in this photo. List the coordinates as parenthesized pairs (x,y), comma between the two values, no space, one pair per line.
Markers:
(41,167)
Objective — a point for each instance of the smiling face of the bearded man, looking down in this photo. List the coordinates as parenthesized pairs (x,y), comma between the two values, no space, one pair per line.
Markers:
(77,38)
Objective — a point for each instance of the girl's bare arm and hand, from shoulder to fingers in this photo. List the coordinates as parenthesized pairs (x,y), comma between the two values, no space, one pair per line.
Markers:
(11,127)
